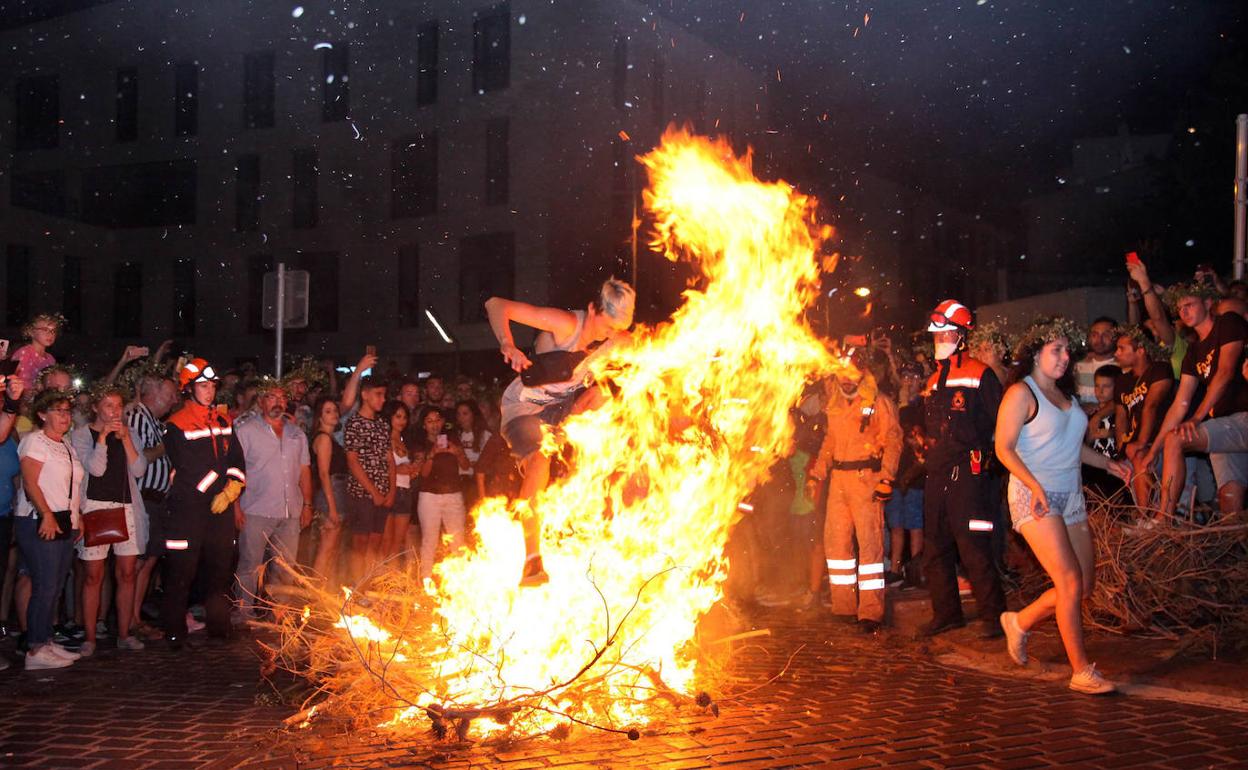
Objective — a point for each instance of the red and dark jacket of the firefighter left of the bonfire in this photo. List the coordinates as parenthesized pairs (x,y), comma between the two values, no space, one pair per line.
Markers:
(204,452)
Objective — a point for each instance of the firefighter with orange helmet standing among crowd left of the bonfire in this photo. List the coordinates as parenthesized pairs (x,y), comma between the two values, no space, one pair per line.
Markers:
(208,477)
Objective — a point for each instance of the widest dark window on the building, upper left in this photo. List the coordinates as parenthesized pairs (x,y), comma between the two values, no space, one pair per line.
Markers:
(140,195)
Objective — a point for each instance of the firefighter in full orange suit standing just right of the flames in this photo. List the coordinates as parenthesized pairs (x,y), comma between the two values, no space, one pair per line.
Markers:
(860,455)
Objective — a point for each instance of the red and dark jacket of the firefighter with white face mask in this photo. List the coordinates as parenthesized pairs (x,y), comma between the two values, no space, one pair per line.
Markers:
(962,412)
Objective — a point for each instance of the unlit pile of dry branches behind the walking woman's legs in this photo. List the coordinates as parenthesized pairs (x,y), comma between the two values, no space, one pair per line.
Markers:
(1181,581)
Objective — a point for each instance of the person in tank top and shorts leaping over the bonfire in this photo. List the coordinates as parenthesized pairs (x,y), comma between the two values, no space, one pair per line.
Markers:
(552,386)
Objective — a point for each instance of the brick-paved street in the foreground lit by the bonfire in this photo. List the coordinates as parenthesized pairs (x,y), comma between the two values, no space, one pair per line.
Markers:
(846,703)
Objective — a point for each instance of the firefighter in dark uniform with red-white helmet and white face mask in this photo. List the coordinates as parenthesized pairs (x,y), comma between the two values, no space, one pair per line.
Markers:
(962,409)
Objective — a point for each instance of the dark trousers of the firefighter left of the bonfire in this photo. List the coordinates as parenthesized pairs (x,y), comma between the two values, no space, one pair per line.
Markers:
(199,545)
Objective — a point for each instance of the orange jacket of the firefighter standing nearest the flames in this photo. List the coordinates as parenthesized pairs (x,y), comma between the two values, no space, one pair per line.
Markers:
(860,432)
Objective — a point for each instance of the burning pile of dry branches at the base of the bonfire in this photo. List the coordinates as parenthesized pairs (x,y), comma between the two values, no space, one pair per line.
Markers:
(373,656)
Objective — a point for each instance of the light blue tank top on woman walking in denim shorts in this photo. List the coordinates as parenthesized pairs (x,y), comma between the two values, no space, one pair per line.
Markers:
(1050,445)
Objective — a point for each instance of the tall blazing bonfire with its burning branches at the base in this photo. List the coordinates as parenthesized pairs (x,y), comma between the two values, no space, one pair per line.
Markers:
(635,532)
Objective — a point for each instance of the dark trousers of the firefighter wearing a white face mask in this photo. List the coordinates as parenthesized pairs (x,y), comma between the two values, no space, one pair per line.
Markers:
(959,520)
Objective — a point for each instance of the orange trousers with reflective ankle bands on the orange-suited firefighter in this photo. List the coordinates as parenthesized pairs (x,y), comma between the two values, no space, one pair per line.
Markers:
(857,583)
